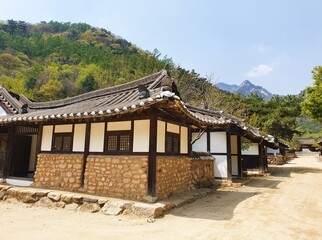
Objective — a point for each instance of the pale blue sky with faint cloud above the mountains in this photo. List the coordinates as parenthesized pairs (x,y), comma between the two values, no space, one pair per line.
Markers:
(273,43)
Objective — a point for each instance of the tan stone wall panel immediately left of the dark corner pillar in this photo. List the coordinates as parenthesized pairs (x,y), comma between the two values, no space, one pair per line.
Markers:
(118,176)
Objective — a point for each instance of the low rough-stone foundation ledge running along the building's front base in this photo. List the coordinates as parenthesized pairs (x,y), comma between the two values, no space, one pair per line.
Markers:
(81,202)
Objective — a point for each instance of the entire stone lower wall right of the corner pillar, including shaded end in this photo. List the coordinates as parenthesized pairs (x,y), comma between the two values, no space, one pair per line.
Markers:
(176,174)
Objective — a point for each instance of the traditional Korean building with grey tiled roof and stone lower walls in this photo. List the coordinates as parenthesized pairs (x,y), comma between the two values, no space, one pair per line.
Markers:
(131,141)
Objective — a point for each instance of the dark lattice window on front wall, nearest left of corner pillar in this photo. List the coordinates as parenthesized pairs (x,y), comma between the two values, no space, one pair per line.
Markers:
(118,141)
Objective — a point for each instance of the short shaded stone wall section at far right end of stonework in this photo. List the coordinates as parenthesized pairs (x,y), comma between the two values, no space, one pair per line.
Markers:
(202,172)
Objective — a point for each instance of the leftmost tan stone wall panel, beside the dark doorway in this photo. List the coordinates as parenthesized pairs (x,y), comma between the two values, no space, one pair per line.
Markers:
(59,171)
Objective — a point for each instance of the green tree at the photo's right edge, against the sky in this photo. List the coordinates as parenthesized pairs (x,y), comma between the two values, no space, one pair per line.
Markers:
(312,104)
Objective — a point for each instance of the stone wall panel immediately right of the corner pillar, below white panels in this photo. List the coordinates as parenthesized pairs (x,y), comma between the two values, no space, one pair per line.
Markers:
(173,175)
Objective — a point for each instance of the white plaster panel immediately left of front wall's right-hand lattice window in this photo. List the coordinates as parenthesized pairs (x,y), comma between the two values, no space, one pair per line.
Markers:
(96,143)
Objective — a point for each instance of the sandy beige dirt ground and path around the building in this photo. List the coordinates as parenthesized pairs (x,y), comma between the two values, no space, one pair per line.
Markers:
(286,205)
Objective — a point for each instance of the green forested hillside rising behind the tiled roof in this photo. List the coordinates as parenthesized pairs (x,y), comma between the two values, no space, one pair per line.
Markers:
(53,60)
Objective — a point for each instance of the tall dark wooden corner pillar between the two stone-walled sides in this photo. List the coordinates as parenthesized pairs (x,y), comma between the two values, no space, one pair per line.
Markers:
(152,156)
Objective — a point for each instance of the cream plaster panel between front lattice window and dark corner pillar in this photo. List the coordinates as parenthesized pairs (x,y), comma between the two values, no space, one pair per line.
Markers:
(141,136)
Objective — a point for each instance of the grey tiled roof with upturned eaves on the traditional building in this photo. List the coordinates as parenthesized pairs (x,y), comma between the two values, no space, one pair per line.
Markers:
(117,100)
